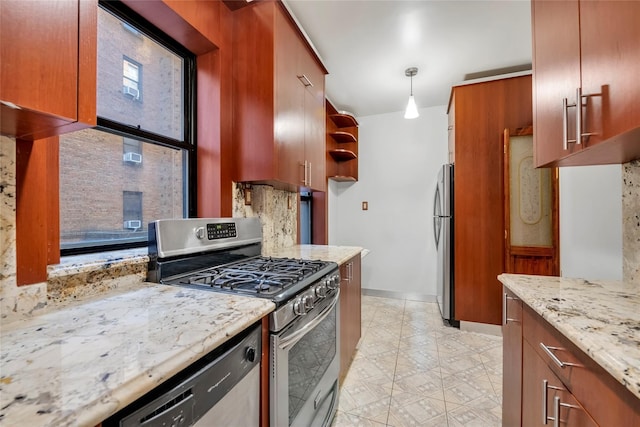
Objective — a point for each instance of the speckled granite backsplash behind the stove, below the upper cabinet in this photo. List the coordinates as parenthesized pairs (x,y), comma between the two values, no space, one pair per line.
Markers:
(277,210)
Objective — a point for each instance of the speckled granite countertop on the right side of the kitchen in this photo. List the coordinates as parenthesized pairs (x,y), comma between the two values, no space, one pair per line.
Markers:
(602,318)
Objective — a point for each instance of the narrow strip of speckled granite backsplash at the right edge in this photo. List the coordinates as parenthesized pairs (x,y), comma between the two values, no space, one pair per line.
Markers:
(631,221)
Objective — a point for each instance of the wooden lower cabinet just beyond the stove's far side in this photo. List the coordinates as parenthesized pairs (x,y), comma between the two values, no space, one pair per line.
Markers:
(350,312)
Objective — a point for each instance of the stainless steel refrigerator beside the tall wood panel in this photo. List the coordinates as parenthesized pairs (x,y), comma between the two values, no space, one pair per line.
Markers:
(443,233)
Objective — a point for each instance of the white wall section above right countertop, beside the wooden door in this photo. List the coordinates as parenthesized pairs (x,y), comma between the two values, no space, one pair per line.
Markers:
(591,222)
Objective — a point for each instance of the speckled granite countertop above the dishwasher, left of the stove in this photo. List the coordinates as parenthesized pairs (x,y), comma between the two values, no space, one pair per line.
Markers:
(80,364)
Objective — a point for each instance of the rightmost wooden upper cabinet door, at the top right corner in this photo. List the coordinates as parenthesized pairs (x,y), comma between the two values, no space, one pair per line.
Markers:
(610,51)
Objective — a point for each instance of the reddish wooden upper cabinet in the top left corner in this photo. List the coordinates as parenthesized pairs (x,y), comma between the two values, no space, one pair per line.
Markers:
(48,71)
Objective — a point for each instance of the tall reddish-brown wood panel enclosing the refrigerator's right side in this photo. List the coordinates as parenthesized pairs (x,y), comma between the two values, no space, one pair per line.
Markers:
(482,111)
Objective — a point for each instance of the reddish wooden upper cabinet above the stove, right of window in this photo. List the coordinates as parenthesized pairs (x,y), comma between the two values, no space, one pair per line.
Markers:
(279,126)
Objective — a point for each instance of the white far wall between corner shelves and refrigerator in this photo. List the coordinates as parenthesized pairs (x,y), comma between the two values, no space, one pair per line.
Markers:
(398,164)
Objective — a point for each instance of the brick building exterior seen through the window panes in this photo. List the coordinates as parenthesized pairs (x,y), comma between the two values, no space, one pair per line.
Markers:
(102,188)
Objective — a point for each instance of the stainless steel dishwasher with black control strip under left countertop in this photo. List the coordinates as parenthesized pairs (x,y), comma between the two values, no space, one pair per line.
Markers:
(221,389)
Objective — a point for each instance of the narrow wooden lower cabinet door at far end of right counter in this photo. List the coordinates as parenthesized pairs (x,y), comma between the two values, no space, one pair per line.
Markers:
(512,359)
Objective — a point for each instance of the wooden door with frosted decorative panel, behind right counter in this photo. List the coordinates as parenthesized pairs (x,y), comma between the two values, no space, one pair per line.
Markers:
(530,209)
